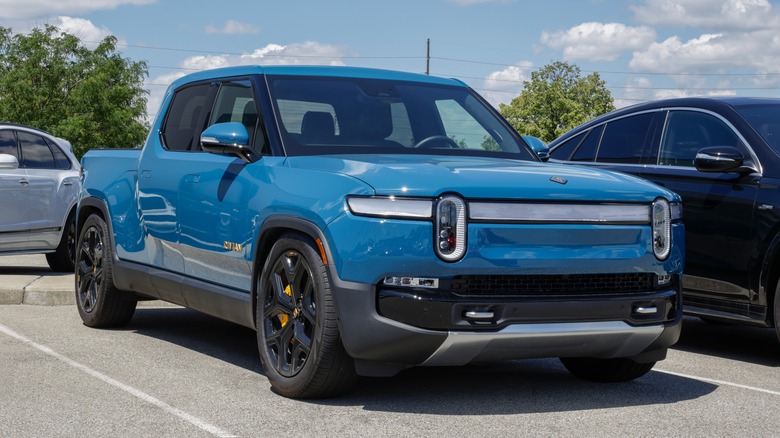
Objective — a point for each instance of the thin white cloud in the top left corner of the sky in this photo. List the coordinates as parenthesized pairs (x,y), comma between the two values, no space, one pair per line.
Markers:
(18,10)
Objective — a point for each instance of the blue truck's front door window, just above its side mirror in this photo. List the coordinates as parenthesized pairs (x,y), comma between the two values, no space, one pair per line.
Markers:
(235,102)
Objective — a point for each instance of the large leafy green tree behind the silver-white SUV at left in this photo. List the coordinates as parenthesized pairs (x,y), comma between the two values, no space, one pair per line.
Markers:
(91,97)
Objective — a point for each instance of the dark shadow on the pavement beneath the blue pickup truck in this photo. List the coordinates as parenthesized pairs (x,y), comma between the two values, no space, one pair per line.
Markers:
(528,386)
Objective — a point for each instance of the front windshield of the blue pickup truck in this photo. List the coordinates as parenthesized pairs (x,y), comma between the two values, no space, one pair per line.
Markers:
(327,115)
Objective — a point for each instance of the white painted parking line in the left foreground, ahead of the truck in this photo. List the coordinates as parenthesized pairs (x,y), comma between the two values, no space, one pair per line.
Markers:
(210,428)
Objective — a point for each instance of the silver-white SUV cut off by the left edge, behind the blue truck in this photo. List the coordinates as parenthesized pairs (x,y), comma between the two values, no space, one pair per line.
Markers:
(39,184)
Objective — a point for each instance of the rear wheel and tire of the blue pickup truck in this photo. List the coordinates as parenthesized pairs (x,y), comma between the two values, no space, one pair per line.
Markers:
(99,302)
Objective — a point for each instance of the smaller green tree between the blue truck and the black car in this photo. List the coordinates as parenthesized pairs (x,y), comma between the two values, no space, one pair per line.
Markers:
(556,99)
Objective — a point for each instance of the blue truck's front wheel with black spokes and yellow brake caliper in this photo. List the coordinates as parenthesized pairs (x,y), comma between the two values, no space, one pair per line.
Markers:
(297,327)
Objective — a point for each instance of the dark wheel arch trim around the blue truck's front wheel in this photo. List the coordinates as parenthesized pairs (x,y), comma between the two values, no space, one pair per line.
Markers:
(273,228)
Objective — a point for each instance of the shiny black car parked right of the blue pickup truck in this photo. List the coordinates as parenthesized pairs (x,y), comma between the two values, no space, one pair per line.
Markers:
(722,155)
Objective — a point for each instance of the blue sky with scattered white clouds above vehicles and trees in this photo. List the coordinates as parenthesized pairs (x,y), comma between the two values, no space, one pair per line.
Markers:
(643,49)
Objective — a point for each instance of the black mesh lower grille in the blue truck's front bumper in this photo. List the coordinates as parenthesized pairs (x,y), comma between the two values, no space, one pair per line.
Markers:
(552,285)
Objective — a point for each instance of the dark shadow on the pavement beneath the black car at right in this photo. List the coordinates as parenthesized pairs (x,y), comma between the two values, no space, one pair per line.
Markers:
(754,345)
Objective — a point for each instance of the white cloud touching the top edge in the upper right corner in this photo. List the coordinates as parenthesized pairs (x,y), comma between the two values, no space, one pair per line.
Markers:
(717,15)
